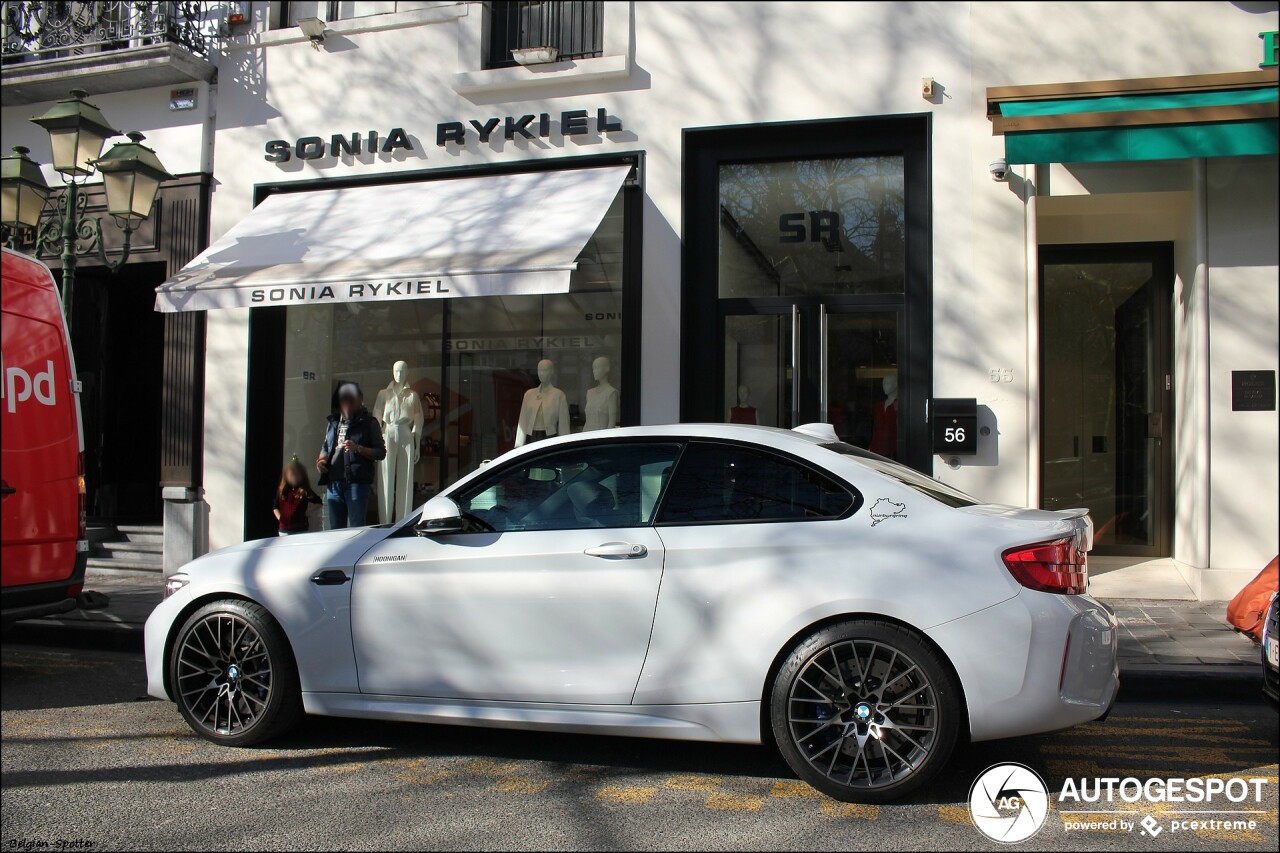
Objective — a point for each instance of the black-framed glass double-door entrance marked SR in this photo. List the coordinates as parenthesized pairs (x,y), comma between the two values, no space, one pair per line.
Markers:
(807,280)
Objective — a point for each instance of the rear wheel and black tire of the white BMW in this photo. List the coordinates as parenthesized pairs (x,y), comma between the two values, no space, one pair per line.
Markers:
(886,711)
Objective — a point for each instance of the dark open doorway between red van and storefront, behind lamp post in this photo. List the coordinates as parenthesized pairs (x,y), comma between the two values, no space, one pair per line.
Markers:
(118,340)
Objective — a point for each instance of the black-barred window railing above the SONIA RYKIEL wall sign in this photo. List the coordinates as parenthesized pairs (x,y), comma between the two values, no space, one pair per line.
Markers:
(575,29)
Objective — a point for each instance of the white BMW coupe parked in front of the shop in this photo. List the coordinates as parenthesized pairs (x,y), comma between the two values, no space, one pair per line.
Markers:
(697,582)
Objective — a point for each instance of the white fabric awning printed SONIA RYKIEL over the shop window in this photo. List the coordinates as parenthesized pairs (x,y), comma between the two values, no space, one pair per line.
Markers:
(506,235)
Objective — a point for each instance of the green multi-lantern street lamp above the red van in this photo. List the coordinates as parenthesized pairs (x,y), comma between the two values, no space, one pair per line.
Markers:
(131,176)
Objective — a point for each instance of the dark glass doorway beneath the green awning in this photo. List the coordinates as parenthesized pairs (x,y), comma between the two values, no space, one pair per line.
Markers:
(1107,409)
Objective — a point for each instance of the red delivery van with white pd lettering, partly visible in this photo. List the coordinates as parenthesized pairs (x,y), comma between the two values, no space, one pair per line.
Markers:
(44,545)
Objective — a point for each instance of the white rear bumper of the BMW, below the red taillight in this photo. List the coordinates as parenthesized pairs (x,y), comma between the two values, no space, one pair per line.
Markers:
(1036,663)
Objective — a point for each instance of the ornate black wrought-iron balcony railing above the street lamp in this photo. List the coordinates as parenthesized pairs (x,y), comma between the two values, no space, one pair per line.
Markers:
(35,30)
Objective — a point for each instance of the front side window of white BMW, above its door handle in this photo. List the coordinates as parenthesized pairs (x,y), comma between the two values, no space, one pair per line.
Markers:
(583,486)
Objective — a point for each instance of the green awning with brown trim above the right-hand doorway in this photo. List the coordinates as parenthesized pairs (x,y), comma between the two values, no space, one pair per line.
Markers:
(1165,118)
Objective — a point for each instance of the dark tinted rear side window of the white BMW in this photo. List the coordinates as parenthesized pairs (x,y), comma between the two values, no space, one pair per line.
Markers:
(724,483)
